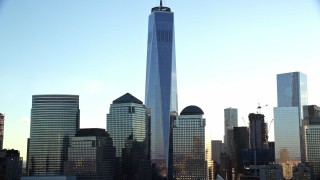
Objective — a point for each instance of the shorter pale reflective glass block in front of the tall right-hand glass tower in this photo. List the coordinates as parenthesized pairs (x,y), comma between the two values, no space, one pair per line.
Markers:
(287,138)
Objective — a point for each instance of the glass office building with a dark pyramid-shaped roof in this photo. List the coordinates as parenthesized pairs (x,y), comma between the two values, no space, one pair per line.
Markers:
(128,126)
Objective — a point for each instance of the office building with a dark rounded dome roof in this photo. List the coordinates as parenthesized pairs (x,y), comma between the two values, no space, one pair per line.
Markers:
(189,156)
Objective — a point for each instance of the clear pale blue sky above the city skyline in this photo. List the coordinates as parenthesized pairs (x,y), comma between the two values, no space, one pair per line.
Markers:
(228,54)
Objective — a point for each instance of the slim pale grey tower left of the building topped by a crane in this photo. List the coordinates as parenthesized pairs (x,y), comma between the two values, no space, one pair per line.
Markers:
(230,121)
